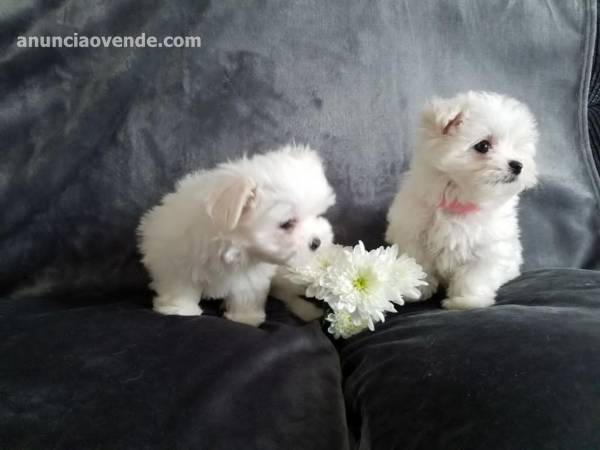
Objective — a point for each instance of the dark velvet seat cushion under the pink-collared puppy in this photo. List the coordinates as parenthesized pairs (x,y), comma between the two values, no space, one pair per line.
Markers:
(524,374)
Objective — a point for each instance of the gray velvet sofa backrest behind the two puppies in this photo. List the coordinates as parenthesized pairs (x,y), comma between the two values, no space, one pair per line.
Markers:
(91,137)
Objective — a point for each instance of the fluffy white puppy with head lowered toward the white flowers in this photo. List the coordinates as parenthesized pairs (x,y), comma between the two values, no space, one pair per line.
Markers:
(223,232)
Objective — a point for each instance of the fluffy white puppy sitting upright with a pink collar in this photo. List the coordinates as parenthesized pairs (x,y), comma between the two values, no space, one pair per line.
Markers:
(456,211)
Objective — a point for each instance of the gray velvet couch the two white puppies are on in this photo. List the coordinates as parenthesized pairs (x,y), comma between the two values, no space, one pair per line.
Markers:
(93,137)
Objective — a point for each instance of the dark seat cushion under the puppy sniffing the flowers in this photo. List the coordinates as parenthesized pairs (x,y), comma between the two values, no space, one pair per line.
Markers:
(119,376)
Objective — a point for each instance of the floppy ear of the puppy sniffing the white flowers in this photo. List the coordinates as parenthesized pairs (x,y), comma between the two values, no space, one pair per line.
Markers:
(233,196)
